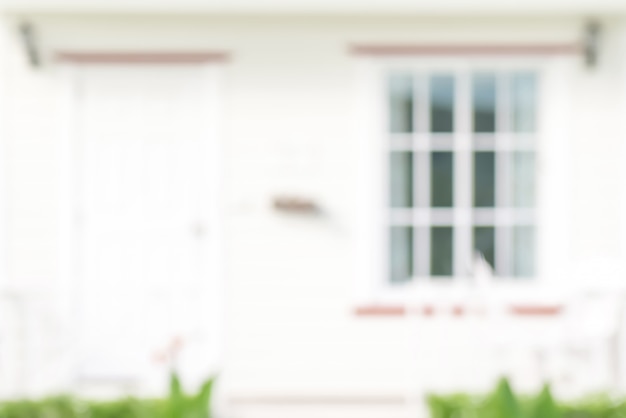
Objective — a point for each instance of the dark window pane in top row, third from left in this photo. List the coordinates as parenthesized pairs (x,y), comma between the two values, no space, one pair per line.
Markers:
(484,100)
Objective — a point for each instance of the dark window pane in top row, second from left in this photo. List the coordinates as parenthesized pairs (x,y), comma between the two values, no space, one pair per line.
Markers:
(441,103)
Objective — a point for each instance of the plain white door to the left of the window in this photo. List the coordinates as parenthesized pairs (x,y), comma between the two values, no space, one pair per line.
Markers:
(145,248)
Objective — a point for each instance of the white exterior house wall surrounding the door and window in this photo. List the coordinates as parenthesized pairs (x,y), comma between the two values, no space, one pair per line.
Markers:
(289,128)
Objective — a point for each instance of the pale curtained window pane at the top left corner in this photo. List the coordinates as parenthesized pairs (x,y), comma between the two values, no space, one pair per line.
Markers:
(401,103)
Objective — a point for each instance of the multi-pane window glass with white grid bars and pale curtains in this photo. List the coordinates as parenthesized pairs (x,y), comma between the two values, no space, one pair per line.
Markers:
(461,173)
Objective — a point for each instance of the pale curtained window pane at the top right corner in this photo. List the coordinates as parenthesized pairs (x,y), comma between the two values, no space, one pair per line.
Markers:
(523,102)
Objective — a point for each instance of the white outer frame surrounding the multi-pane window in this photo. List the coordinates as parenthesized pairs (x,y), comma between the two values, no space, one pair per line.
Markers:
(372,281)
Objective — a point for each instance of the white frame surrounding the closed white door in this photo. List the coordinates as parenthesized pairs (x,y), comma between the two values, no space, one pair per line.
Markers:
(70,67)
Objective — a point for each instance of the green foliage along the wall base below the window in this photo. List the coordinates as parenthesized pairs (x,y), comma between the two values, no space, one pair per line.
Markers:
(504,403)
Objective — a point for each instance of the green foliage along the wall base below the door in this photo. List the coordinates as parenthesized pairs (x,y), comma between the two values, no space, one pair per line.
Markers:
(176,405)
